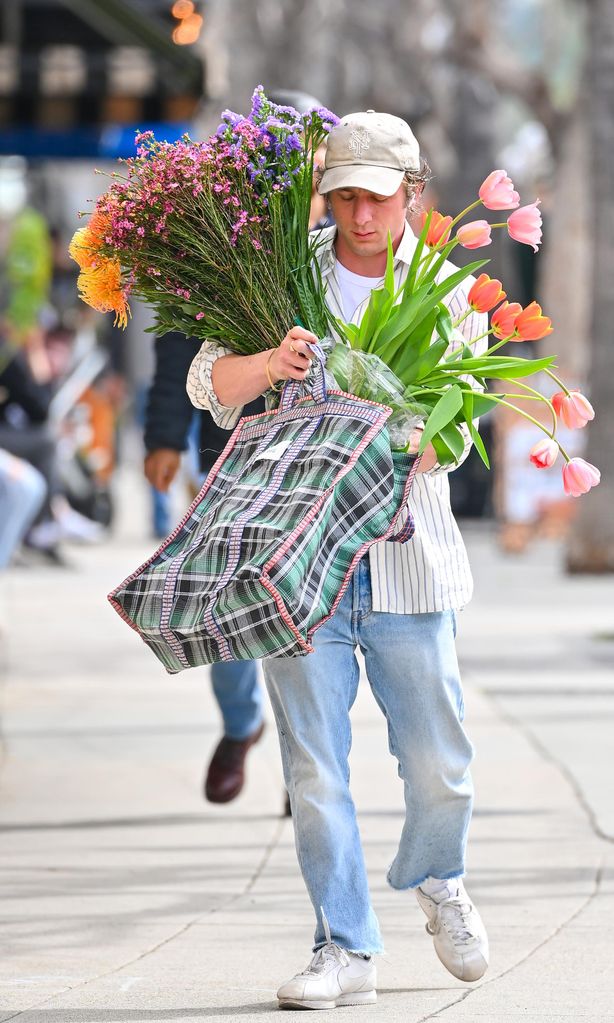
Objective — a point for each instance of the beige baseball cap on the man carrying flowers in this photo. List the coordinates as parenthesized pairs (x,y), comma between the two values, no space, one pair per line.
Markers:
(370,151)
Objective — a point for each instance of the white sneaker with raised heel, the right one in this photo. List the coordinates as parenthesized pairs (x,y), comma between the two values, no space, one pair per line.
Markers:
(459,935)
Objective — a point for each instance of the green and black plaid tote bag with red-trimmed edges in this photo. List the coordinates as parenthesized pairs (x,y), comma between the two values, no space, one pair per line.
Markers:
(268,549)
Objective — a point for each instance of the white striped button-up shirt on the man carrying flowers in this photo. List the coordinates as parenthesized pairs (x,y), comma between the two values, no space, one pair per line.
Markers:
(431,572)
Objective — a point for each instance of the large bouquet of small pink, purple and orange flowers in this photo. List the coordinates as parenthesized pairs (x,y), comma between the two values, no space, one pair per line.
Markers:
(213,236)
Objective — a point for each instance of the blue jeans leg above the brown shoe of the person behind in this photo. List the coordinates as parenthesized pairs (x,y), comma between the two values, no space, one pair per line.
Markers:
(238,692)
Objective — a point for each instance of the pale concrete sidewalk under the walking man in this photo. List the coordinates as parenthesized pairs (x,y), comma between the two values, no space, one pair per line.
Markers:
(128,899)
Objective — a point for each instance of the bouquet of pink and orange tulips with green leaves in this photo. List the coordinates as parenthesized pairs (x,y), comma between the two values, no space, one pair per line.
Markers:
(440,378)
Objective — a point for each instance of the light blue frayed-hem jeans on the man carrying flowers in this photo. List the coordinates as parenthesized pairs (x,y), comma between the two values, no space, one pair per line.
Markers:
(414,675)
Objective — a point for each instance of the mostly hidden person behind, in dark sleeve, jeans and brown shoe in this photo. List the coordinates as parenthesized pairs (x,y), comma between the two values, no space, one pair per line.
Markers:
(168,419)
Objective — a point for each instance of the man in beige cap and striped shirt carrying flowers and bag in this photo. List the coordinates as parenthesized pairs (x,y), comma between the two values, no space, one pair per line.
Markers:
(401,609)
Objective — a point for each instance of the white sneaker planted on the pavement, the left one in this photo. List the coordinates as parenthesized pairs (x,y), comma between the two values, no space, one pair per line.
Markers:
(335,977)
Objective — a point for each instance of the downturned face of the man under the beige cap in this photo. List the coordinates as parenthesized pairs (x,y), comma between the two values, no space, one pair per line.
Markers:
(364,220)
